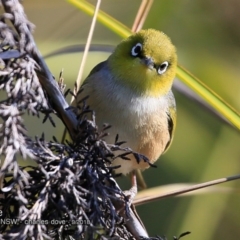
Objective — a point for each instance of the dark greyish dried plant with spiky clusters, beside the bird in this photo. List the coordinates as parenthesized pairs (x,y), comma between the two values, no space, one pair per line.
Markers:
(70,193)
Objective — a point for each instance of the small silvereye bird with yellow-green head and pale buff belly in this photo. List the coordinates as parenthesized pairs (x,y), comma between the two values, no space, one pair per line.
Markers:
(131,91)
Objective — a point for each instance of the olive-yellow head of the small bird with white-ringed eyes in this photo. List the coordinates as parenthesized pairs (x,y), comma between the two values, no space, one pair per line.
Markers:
(145,62)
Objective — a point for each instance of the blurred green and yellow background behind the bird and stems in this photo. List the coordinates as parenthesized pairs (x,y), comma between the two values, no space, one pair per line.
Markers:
(207,36)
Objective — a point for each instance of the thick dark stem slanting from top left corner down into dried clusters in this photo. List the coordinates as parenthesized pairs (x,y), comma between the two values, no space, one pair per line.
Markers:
(23,28)
